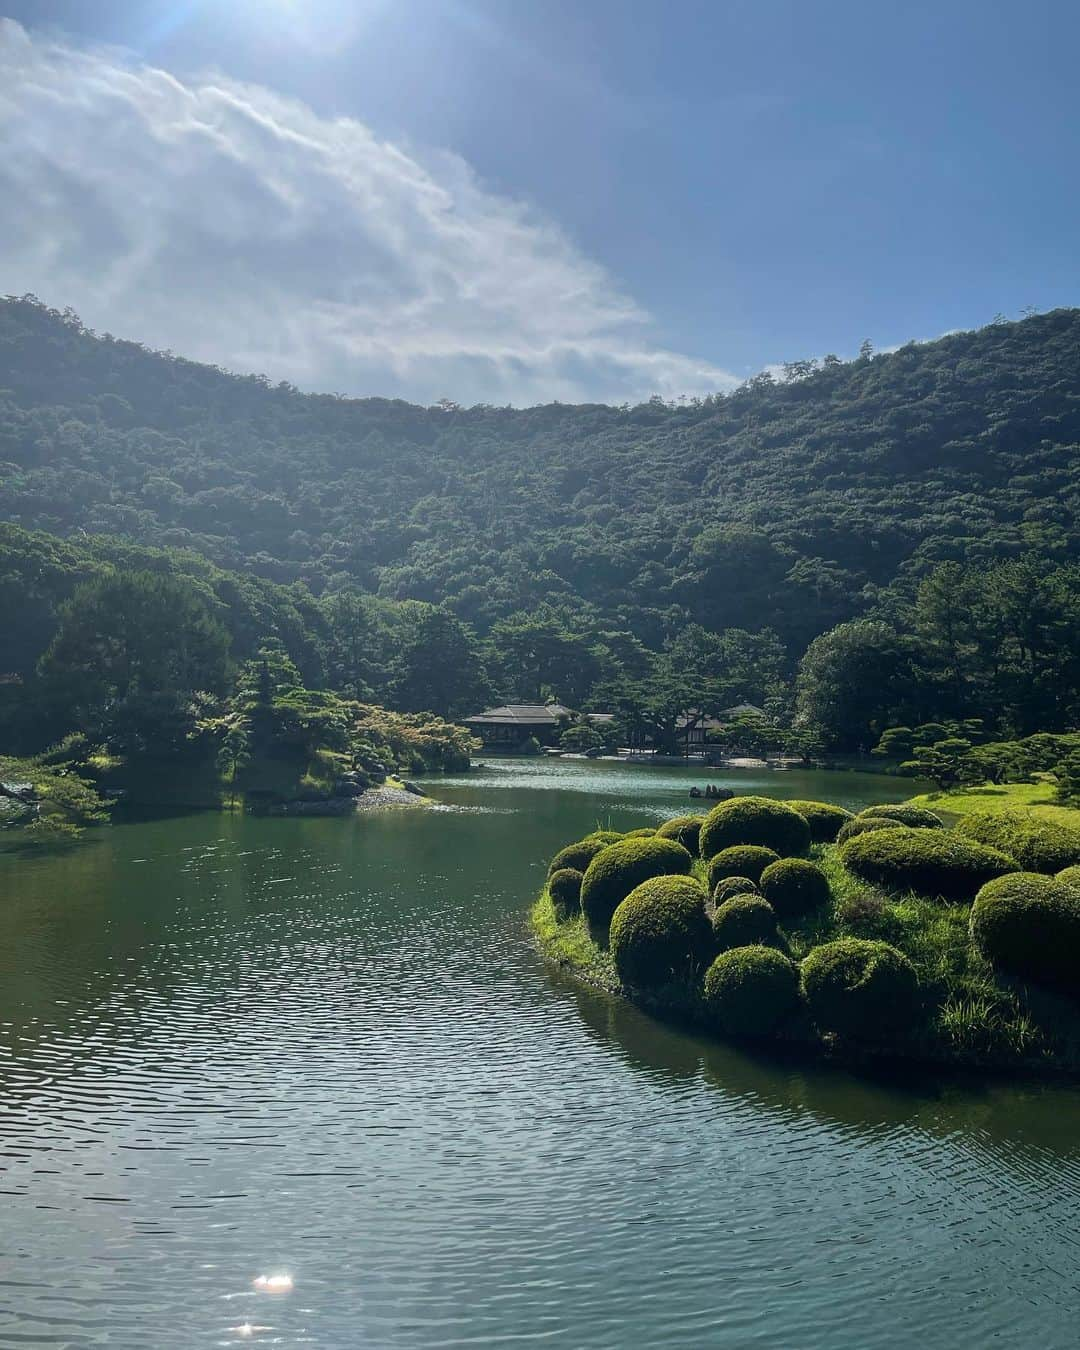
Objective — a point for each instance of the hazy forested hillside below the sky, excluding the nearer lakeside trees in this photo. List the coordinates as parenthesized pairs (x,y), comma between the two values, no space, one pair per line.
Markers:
(789,503)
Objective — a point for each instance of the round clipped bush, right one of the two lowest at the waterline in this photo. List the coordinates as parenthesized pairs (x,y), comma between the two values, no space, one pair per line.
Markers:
(859,988)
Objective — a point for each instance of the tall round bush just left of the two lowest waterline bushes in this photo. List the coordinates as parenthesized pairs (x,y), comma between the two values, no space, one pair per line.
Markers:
(661,932)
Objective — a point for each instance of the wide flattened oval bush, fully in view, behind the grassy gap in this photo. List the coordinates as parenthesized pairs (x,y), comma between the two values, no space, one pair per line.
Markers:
(927,862)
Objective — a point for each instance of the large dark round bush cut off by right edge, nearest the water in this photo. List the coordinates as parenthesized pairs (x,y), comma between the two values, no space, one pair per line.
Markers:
(1029,924)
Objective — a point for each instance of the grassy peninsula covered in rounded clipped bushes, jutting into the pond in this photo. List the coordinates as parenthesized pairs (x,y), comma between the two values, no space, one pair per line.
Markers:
(904,940)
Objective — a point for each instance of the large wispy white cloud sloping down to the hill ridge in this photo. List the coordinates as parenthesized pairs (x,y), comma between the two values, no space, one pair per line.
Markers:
(236,226)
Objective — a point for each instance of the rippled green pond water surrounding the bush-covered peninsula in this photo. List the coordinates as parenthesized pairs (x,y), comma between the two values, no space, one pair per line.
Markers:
(327,1050)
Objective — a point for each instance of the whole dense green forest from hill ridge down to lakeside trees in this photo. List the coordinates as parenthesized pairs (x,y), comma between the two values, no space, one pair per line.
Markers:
(850,546)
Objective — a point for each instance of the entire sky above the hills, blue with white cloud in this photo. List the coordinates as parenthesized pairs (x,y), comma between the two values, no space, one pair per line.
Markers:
(539,199)
